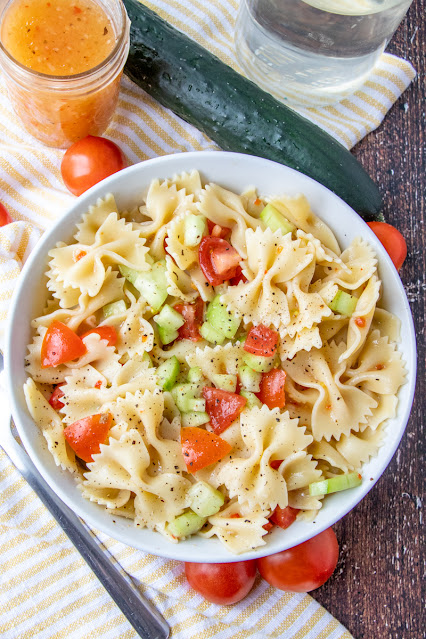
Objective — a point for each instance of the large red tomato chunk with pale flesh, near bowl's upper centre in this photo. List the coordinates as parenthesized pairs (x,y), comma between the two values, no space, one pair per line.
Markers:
(218,260)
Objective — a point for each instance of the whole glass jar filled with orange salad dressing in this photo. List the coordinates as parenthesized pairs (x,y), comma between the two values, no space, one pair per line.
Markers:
(62,62)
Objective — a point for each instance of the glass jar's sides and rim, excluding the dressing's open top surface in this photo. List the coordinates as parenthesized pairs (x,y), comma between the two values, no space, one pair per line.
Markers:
(59,110)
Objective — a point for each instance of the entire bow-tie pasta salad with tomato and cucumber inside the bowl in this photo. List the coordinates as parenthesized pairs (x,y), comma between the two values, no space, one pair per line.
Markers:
(207,358)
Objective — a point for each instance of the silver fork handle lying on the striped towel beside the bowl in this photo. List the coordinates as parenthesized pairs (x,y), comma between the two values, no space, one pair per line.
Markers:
(143,616)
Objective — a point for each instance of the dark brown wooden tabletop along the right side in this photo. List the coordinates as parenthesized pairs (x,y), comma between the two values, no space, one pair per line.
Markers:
(376,591)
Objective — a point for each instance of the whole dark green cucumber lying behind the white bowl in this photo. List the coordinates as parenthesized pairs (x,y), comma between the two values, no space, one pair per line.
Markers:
(235,113)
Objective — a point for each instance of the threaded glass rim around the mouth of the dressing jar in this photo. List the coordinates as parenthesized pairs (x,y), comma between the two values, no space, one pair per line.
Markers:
(64,79)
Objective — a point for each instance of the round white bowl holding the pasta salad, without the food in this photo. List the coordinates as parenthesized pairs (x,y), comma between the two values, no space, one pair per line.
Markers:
(236,172)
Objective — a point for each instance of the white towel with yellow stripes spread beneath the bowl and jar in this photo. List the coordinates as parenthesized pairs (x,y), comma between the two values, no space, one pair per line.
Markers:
(46,590)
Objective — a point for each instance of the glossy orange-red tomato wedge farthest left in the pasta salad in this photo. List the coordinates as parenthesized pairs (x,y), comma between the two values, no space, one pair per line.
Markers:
(60,344)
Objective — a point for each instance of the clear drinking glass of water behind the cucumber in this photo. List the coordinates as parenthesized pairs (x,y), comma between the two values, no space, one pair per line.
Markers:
(314,52)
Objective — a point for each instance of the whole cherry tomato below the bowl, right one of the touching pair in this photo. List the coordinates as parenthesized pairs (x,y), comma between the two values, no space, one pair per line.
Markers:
(304,567)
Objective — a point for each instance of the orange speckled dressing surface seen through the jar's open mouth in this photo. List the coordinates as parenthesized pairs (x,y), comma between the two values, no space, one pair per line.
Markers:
(59,37)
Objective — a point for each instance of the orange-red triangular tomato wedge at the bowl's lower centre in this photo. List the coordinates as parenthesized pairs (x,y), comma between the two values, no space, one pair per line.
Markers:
(201,448)
